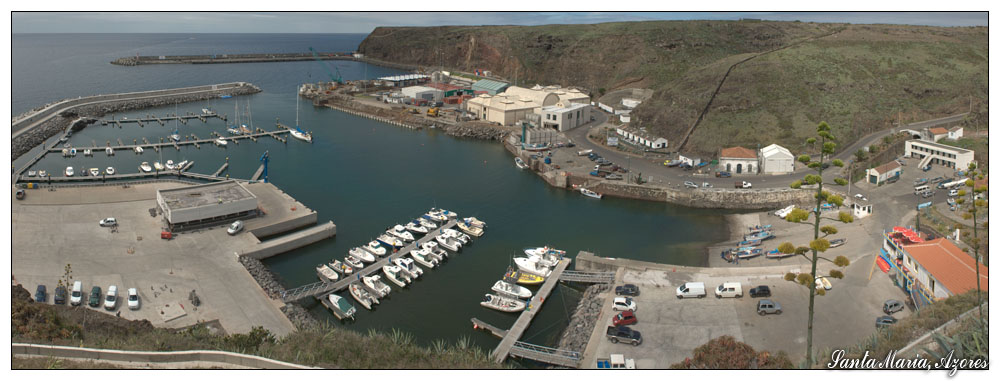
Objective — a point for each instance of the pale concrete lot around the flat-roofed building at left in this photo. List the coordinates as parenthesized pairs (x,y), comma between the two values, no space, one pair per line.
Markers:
(54,228)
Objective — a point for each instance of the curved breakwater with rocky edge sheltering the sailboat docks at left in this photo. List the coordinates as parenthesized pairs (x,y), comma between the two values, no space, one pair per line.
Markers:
(58,124)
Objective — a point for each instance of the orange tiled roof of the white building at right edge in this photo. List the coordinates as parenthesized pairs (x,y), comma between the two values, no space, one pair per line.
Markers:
(955,269)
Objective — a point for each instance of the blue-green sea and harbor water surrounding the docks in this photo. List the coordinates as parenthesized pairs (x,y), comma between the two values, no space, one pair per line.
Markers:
(364,175)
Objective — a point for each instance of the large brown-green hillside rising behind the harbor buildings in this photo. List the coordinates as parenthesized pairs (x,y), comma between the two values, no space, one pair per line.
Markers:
(856,77)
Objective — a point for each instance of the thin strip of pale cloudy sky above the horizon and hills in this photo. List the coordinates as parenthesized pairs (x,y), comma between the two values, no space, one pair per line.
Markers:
(365,22)
